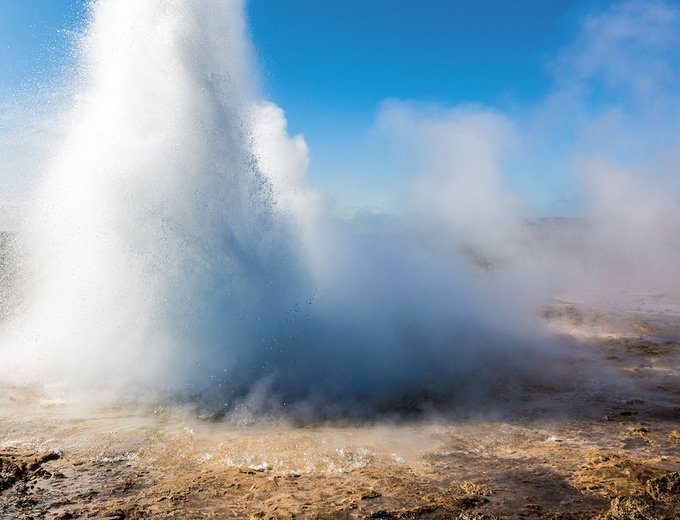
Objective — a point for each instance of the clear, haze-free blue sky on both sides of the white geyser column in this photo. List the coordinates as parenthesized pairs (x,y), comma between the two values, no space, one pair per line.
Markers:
(330,64)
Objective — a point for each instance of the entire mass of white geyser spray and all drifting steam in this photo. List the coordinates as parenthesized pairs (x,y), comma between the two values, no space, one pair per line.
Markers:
(172,247)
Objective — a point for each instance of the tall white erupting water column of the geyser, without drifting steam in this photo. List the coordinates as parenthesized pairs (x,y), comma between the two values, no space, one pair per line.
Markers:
(155,252)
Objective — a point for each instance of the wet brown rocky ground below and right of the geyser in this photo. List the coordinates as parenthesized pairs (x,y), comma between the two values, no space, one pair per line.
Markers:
(605,452)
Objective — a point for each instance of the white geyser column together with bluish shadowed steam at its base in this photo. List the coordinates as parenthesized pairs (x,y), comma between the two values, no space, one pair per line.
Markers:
(168,254)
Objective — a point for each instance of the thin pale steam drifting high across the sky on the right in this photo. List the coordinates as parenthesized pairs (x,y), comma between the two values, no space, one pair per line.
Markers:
(604,141)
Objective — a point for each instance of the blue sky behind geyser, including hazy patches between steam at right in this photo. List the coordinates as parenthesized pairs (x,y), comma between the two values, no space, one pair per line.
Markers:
(332,64)
